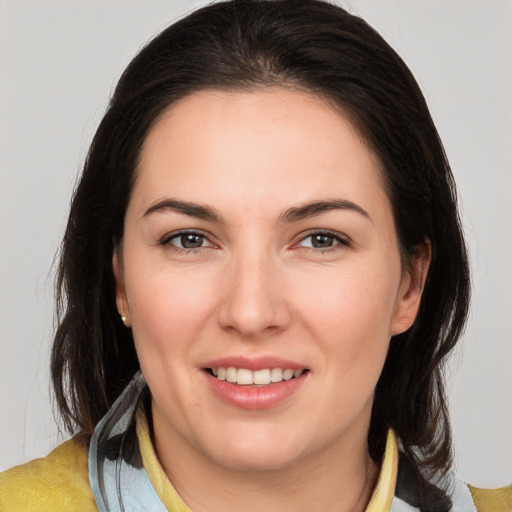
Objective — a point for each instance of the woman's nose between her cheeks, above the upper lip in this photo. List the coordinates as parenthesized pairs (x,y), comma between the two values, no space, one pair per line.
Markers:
(254,301)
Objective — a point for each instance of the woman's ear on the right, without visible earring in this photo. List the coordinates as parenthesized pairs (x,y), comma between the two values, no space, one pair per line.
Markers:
(411,289)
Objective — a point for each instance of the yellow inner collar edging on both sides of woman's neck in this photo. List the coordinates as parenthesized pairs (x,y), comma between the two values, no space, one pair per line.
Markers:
(379,502)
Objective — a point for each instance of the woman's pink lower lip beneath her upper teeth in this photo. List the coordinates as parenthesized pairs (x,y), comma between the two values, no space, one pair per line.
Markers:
(255,397)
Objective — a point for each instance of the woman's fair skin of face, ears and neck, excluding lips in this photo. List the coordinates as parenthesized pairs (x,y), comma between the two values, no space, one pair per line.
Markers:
(257,287)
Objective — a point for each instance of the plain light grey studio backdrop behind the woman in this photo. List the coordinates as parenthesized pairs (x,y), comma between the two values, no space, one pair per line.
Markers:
(59,62)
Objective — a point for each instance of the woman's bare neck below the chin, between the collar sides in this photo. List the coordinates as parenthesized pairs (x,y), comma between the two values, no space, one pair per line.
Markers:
(341,479)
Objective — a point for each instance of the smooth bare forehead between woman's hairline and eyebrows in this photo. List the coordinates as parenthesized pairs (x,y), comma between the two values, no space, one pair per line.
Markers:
(255,146)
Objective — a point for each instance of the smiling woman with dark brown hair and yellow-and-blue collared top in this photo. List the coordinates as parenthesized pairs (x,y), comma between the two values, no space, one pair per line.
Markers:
(266,227)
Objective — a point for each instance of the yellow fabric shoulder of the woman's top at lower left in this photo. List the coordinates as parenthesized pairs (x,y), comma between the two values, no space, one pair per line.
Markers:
(57,482)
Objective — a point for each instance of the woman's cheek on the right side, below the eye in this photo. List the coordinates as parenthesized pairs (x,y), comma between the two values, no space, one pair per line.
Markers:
(350,312)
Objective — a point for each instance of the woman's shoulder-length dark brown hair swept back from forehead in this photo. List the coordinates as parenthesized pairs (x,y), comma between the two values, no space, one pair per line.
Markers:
(248,44)
